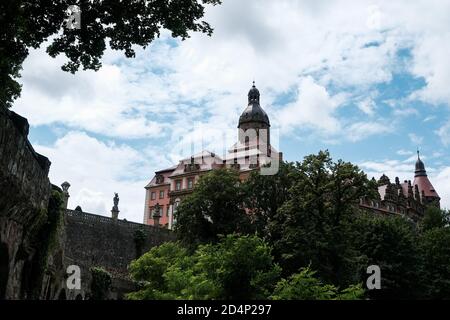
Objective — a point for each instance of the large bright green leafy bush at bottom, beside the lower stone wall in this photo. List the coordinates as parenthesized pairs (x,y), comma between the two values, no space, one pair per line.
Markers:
(237,267)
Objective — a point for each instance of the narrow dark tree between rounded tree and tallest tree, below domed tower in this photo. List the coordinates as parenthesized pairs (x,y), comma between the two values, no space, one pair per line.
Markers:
(264,195)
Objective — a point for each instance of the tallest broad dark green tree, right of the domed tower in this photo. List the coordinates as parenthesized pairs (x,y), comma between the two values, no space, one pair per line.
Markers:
(323,199)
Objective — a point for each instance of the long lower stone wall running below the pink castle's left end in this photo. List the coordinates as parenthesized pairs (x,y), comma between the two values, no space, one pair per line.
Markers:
(98,241)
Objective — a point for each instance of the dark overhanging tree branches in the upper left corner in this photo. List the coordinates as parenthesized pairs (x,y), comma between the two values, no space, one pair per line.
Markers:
(27,24)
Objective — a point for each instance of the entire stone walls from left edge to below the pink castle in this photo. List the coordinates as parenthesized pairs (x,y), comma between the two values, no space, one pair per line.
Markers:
(38,240)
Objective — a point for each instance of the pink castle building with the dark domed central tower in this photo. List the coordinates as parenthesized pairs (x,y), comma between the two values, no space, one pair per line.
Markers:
(252,151)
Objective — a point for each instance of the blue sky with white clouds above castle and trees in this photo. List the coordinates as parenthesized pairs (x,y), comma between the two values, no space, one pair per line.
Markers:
(367,80)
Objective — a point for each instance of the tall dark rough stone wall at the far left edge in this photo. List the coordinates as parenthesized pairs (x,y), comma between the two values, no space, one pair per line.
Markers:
(24,193)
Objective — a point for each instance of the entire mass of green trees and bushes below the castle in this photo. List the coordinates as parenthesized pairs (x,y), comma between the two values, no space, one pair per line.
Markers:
(309,214)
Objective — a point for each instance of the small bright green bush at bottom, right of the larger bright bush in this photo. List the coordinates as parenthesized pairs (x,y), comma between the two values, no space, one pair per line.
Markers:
(305,286)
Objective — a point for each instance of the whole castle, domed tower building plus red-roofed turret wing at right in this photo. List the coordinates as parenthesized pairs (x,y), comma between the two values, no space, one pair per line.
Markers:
(253,149)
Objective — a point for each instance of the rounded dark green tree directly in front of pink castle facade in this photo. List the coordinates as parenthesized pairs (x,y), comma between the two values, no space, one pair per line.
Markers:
(214,208)
